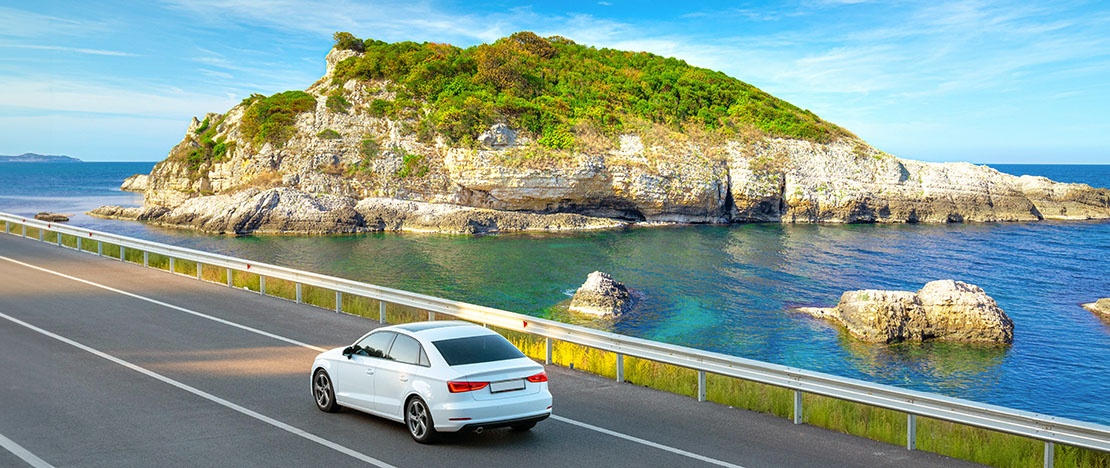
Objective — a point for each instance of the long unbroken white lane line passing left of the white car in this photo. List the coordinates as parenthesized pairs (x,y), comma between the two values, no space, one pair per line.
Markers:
(205,395)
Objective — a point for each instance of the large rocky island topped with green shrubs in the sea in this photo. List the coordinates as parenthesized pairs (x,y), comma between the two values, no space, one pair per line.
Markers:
(532,134)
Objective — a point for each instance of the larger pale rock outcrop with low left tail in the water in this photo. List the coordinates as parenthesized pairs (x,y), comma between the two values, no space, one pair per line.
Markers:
(945,310)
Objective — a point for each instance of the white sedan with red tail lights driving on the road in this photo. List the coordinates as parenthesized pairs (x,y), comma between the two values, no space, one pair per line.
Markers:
(436,378)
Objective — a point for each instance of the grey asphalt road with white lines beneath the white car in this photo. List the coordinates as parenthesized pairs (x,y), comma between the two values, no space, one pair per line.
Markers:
(107,364)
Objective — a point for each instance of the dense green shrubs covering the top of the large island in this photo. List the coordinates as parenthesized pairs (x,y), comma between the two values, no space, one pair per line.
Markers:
(561,91)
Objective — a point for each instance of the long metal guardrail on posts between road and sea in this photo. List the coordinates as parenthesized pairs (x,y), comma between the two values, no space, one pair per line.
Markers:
(1047,429)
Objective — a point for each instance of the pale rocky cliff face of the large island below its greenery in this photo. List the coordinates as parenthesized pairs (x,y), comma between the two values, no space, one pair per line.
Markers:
(341,152)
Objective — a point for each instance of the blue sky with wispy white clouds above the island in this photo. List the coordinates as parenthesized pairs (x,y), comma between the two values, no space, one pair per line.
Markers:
(985,82)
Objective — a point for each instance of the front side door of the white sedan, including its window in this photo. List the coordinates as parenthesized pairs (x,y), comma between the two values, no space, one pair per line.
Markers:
(355,383)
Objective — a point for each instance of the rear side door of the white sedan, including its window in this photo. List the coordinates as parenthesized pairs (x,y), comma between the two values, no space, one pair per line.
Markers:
(395,377)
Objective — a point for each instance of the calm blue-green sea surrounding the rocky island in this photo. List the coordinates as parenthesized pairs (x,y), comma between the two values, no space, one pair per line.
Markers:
(728,289)
